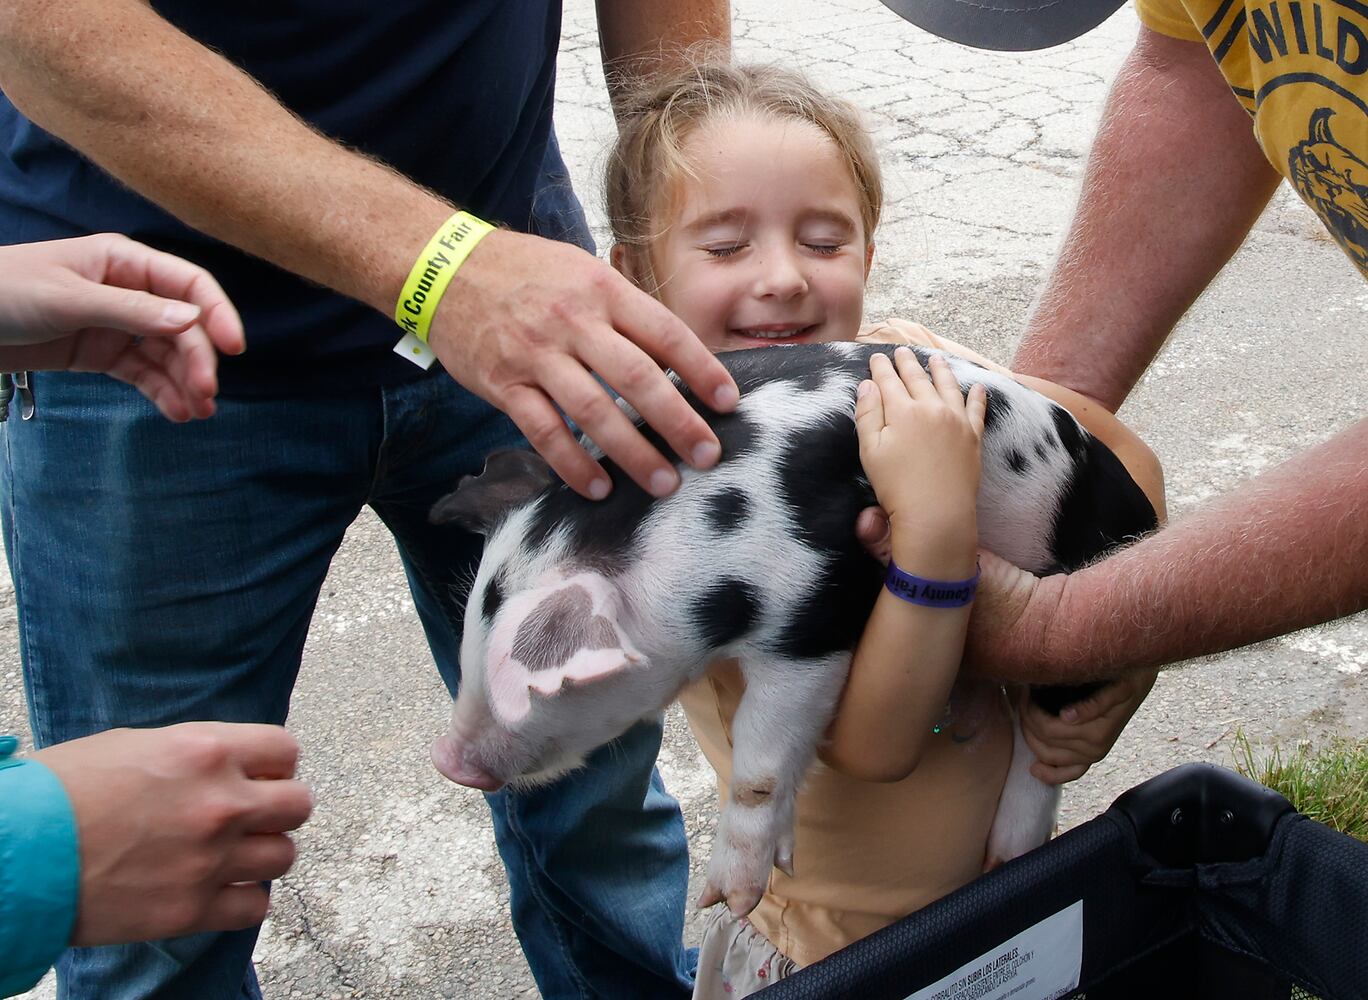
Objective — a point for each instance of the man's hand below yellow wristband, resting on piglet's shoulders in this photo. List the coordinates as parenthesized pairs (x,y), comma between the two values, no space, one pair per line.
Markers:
(538,321)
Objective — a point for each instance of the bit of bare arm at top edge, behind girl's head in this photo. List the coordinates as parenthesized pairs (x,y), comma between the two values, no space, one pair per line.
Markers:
(645,38)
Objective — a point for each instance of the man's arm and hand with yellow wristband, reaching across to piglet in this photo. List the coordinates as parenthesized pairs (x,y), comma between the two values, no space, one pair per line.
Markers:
(526,321)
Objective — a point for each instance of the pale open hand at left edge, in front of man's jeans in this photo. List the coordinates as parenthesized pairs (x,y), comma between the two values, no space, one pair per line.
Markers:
(109,304)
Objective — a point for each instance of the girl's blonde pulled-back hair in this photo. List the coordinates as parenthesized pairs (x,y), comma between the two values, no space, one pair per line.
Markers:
(656,122)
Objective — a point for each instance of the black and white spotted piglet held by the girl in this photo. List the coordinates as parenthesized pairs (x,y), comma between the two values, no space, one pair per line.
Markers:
(588,616)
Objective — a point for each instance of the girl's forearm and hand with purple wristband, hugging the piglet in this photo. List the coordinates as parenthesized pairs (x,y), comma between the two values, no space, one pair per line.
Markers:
(920,443)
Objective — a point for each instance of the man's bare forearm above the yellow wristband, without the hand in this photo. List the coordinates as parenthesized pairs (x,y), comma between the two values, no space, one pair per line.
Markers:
(187,129)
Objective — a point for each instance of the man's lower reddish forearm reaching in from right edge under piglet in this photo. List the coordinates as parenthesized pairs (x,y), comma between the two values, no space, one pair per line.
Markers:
(1284,552)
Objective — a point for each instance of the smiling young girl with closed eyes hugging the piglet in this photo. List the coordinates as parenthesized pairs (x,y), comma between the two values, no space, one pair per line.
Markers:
(746,202)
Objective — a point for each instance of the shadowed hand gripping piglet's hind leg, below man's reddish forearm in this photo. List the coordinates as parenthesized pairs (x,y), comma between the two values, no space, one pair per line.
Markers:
(1084,733)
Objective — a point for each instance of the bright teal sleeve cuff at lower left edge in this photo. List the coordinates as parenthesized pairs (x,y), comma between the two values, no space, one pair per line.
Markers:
(39,871)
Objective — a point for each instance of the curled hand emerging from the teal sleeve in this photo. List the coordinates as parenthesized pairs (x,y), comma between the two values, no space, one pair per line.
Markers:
(179,827)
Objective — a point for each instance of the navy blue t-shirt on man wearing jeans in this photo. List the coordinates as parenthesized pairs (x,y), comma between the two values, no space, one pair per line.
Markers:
(455,94)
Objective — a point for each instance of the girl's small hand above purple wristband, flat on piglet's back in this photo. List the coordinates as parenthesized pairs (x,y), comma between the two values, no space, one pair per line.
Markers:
(920,447)
